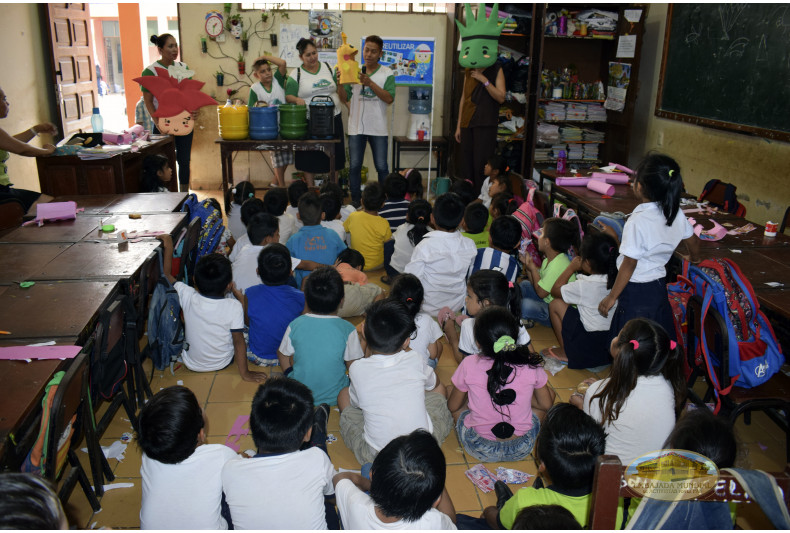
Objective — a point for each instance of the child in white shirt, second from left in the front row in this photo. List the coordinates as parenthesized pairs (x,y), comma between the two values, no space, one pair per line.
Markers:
(285,485)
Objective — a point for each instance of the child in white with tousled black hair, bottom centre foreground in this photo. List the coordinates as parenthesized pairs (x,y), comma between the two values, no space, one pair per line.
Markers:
(406,490)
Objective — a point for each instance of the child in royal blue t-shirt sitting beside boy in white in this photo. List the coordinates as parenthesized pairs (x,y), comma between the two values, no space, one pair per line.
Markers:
(271,305)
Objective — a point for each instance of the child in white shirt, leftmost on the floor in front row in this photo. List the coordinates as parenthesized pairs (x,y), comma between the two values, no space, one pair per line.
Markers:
(181,474)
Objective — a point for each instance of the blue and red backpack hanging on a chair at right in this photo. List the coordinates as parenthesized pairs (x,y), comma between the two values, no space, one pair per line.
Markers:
(754,353)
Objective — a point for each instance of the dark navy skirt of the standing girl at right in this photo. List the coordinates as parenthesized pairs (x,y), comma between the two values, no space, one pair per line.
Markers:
(644,300)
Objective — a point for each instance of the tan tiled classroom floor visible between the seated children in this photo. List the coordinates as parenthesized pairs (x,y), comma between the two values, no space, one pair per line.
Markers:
(225,397)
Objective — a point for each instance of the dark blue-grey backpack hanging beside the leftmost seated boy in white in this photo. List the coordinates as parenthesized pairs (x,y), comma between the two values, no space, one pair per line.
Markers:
(165,327)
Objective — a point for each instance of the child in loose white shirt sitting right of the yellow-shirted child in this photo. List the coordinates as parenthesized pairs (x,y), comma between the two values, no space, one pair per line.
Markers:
(443,257)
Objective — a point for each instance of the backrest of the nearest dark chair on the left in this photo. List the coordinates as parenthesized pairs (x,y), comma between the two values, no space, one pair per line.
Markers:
(68,401)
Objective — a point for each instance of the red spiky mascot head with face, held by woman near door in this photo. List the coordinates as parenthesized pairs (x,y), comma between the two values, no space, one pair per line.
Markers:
(178,97)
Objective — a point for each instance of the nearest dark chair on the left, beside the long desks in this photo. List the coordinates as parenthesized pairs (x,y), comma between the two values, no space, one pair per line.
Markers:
(71,399)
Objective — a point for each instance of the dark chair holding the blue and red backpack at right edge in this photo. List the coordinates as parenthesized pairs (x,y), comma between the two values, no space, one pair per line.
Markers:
(772,397)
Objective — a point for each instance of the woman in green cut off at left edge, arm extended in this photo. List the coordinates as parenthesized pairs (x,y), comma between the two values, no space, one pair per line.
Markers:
(17,144)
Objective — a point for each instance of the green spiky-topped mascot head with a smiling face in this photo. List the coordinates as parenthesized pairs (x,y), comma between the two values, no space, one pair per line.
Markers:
(479,38)
